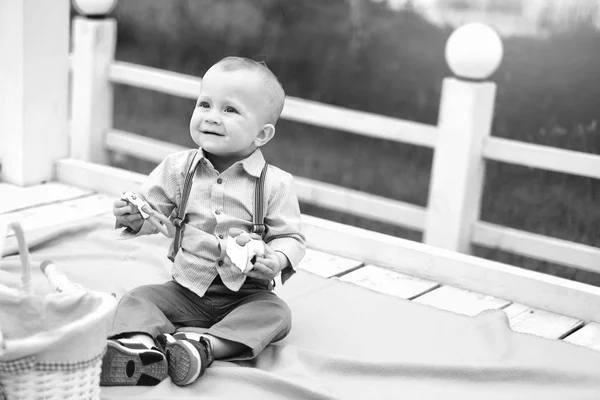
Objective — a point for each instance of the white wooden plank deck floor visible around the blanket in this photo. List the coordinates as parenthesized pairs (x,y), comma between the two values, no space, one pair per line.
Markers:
(55,204)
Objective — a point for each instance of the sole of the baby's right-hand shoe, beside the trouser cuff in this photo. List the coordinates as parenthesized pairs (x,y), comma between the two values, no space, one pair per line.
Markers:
(184,362)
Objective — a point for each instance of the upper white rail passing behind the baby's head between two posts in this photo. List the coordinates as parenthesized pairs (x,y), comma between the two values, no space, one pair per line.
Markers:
(295,109)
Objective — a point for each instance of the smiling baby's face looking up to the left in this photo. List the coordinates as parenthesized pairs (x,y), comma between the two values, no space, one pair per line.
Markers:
(230,114)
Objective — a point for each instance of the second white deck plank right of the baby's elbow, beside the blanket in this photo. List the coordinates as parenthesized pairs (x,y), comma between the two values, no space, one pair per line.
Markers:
(385,281)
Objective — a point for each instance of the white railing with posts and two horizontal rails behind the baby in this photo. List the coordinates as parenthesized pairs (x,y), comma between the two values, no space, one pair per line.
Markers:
(462,142)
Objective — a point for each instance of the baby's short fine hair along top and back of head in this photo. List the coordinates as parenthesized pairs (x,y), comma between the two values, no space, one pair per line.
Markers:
(273,88)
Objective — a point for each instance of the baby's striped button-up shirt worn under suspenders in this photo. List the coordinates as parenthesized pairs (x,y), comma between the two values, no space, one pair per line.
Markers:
(218,202)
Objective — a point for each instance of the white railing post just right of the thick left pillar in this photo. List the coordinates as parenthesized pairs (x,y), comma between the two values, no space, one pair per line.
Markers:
(94,42)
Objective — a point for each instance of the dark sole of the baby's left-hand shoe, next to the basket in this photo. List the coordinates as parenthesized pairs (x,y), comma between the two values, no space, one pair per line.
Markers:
(122,366)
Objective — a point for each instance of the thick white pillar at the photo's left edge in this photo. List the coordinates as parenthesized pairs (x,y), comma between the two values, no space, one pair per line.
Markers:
(34,47)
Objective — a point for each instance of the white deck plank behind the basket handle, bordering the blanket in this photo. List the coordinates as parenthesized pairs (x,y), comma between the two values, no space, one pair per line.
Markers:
(39,221)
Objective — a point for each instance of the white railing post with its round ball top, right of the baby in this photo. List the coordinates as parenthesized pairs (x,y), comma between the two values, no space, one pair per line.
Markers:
(473,52)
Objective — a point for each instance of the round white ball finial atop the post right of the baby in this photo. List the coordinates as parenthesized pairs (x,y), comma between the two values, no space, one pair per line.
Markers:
(474,51)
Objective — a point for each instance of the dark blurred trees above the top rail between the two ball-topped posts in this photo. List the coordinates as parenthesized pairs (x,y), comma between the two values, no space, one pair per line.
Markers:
(320,50)
